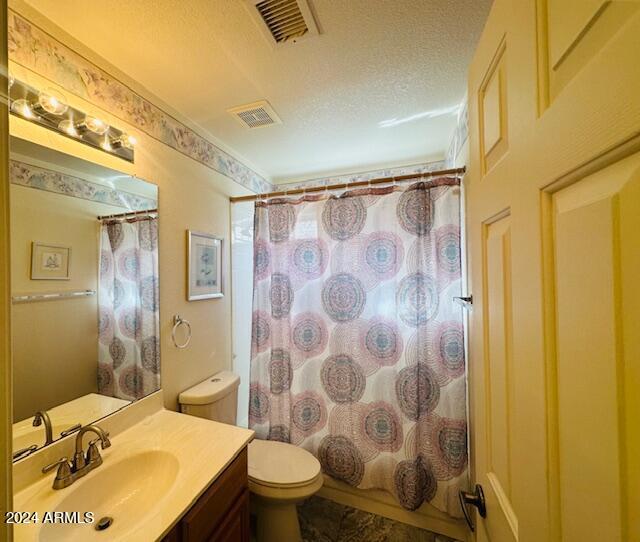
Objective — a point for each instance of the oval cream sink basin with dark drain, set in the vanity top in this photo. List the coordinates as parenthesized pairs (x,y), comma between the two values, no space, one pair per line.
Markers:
(127,491)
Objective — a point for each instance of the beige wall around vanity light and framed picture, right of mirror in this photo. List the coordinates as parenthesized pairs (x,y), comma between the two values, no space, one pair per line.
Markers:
(191,196)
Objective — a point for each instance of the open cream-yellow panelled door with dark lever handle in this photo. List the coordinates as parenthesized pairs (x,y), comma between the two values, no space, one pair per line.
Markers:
(553,210)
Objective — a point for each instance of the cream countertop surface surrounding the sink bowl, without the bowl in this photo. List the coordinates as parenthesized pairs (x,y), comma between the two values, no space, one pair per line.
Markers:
(202,448)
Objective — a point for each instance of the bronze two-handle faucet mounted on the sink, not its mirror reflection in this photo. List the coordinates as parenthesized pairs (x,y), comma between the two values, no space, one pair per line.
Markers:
(69,472)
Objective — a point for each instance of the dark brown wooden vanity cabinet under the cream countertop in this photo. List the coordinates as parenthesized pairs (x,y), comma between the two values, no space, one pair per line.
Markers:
(221,514)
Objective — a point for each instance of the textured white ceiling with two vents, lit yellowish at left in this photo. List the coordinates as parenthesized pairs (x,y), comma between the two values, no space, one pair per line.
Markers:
(378,87)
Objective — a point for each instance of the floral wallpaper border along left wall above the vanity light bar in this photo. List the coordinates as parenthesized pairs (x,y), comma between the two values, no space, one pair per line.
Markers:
(36,50)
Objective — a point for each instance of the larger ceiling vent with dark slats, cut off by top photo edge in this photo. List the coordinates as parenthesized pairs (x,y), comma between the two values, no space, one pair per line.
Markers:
(285,20)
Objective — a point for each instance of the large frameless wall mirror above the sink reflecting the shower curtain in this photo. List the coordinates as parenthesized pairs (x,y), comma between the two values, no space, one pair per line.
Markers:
(85,293)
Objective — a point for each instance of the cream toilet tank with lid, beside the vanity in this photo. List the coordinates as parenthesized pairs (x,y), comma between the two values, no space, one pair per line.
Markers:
(215,398)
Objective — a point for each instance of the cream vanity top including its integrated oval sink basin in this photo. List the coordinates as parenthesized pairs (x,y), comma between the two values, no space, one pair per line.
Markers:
(150,476)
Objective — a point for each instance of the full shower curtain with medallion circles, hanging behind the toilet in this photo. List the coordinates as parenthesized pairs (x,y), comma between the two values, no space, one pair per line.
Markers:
(357,346)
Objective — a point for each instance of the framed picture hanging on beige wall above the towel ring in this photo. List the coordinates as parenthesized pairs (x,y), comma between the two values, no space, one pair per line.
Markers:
(204,270)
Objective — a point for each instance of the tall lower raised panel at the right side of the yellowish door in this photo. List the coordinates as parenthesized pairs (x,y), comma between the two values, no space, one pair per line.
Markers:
(586,368)
